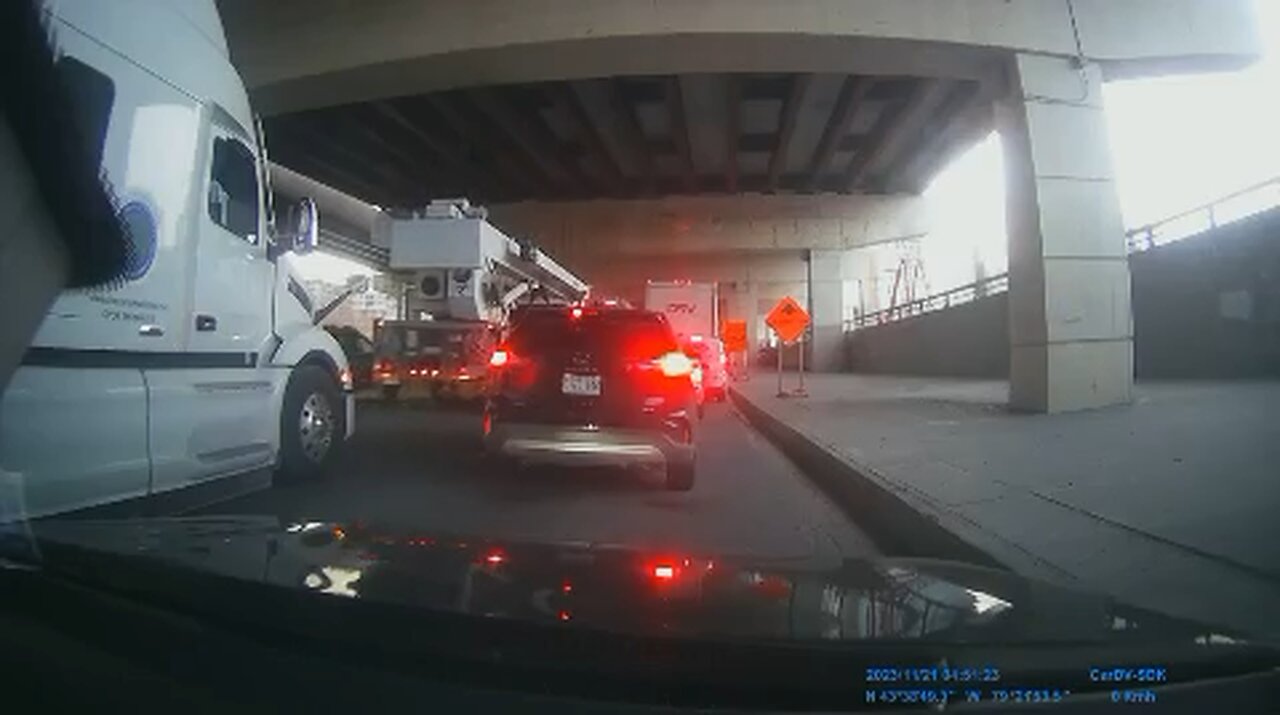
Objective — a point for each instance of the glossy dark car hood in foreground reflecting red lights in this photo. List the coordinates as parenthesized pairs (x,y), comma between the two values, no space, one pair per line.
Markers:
(627,590)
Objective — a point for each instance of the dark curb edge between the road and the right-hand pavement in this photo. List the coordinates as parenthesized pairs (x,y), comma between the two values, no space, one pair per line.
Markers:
(897,528)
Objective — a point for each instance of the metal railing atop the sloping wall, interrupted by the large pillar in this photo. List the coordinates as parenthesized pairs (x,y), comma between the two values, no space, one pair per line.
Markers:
(1231,208)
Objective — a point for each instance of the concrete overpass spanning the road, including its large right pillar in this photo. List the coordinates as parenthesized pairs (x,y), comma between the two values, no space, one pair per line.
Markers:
(757,144)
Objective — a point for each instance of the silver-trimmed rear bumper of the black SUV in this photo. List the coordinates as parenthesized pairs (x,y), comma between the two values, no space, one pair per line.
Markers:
(568,446)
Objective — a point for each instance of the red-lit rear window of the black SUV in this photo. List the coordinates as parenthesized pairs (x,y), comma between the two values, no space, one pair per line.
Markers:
(607,333)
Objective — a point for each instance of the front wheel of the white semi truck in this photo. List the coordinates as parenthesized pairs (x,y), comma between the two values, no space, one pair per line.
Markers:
(313,424)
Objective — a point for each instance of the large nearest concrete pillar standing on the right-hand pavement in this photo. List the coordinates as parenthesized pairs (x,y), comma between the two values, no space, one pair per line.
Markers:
(1069,310)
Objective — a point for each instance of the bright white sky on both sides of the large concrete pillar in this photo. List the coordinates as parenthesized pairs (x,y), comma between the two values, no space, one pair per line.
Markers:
(1177,143)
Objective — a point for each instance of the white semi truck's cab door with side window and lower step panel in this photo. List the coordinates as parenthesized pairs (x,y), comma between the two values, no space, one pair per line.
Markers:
(213,419)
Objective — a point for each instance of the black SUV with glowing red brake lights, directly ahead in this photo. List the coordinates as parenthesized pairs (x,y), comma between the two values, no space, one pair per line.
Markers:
(584,386)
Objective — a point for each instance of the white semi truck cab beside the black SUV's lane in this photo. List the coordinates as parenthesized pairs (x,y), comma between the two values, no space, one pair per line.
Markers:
(200,373)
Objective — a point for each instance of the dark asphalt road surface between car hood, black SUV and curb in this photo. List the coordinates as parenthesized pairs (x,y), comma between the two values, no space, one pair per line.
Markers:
(418,467)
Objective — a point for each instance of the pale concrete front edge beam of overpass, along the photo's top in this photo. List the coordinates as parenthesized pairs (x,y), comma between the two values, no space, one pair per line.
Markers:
(406,47)
